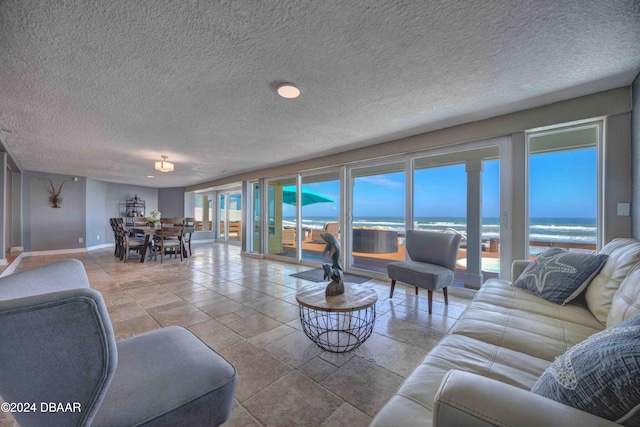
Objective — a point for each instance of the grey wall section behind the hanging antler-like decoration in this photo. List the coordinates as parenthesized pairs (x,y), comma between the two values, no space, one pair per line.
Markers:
(47,228)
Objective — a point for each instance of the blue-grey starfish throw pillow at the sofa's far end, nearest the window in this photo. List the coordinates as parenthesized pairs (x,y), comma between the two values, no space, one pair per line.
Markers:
(559,276)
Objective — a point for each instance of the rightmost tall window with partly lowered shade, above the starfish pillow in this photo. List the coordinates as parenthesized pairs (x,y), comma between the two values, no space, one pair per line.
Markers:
(563,175)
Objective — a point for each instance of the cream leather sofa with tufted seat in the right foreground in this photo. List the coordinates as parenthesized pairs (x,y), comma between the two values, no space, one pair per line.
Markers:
(481,374)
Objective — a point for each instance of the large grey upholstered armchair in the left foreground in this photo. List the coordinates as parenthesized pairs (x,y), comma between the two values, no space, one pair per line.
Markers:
(57,346)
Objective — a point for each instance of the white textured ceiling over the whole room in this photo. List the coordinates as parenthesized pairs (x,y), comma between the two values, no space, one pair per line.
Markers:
(103,88)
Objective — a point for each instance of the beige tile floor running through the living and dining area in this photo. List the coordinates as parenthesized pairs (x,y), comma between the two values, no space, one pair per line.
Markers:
(245,309)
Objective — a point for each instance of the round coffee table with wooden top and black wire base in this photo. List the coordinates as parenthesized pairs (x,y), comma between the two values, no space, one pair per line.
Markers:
(337,323)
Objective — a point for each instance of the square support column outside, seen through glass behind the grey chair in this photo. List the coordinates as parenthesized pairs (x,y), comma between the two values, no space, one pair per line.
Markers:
(473,276)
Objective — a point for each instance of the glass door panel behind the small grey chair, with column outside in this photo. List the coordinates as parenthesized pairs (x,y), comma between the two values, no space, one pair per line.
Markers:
(459,193)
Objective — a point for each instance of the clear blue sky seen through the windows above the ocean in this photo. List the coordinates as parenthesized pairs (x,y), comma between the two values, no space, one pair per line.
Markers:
(563,184)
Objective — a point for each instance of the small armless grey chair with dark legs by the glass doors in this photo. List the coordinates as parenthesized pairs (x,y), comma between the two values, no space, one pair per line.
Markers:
(432,262)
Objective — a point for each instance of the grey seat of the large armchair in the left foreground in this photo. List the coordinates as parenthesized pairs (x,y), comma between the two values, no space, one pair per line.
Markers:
(189,383)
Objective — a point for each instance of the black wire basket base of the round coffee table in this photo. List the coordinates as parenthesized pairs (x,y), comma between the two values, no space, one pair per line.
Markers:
(340,331)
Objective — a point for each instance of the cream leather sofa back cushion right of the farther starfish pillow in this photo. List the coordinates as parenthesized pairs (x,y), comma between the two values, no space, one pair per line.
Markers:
(624,254)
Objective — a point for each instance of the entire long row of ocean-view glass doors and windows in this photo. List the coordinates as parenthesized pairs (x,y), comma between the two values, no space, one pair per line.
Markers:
(552,200)
